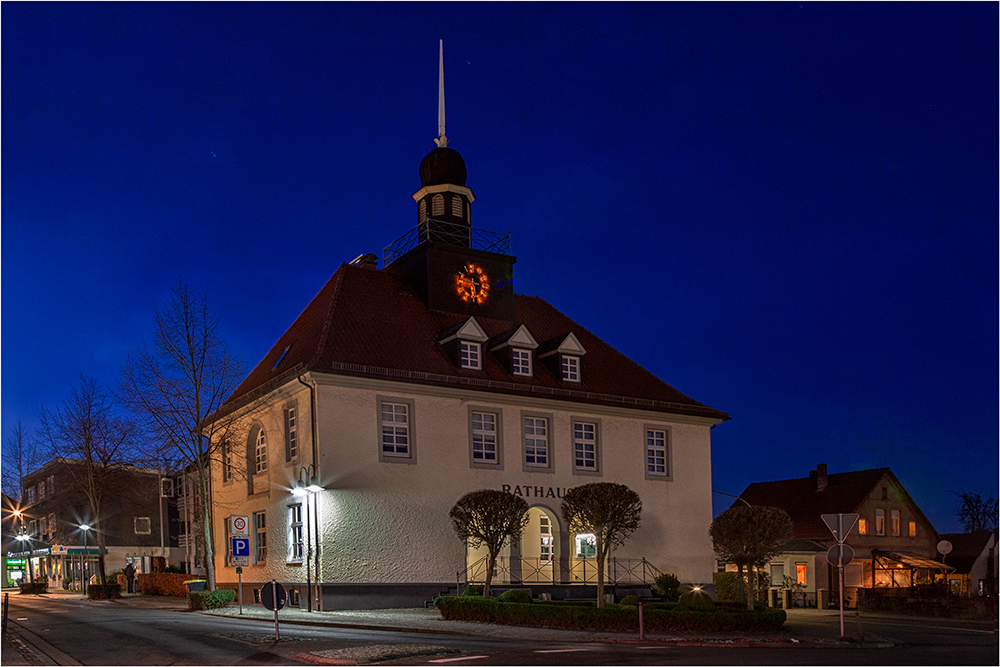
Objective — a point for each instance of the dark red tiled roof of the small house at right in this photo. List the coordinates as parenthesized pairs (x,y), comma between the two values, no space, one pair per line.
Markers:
(843,493)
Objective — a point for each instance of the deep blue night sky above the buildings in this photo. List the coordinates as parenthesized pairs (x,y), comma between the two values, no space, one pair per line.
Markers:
(787,211)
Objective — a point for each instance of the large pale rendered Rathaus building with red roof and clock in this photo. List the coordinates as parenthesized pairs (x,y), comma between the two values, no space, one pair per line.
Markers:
(405,388)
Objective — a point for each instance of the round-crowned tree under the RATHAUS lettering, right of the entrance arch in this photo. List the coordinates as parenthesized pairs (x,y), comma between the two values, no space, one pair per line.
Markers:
(610,511)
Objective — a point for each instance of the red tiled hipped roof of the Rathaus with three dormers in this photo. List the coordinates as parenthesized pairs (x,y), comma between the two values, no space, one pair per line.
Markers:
(370,323)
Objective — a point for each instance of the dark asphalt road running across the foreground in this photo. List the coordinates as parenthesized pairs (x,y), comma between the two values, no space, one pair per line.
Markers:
(93,633)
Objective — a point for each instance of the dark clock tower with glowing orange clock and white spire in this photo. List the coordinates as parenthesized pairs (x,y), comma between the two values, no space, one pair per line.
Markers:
(451,266)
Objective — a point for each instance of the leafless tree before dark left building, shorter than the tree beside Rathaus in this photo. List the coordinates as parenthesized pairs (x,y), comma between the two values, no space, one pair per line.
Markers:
(97,445)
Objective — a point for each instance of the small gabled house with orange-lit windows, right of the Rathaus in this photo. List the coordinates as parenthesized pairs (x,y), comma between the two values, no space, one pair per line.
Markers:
(894,543)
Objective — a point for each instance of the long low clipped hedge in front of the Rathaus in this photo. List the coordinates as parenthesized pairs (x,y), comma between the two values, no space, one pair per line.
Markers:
(613,618)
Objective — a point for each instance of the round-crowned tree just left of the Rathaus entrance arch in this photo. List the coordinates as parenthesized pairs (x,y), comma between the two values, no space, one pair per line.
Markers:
(492,518)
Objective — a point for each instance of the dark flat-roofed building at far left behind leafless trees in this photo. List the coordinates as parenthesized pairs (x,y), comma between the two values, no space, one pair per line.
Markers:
(135,520)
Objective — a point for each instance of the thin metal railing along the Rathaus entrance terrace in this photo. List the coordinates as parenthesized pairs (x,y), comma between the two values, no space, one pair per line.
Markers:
(619,571)
